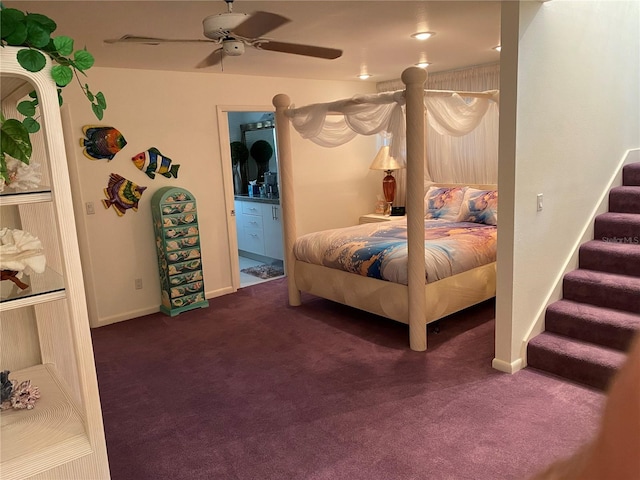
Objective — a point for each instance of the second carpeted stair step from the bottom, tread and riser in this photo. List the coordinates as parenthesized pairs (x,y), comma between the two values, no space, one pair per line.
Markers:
(602,326)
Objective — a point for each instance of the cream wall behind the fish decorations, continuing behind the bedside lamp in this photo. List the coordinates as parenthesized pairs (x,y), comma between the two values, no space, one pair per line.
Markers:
(176,113)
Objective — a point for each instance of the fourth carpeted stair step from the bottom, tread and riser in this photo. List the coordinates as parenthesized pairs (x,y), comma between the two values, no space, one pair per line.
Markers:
(620,258)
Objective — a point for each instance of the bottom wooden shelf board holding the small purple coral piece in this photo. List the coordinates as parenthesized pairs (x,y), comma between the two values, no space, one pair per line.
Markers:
(51,434)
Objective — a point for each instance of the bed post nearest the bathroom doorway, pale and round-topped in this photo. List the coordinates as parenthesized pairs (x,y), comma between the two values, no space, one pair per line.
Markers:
(287,202)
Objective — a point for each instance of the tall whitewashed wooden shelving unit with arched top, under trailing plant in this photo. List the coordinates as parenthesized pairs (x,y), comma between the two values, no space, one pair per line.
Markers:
(44,328)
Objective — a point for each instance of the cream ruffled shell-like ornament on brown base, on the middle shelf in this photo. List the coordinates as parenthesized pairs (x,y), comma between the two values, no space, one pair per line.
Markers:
(20,252)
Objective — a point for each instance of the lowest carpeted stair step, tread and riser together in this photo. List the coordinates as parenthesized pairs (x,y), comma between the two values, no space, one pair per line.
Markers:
(575,360)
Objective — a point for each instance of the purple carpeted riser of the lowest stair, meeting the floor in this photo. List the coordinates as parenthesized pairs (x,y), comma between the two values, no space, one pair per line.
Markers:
(584,372)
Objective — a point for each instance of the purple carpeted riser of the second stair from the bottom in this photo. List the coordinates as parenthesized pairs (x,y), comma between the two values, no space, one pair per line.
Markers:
(585,329)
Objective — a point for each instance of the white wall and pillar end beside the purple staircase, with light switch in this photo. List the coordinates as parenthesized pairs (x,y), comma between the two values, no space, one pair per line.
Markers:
(578,110)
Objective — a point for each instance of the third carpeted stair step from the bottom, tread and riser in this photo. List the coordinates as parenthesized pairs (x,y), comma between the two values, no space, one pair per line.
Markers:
(608,290)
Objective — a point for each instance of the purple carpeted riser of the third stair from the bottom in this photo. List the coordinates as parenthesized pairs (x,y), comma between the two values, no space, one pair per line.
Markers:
(602,295)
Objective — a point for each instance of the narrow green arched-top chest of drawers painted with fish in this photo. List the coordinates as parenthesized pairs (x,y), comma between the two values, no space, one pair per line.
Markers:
(175,223)
